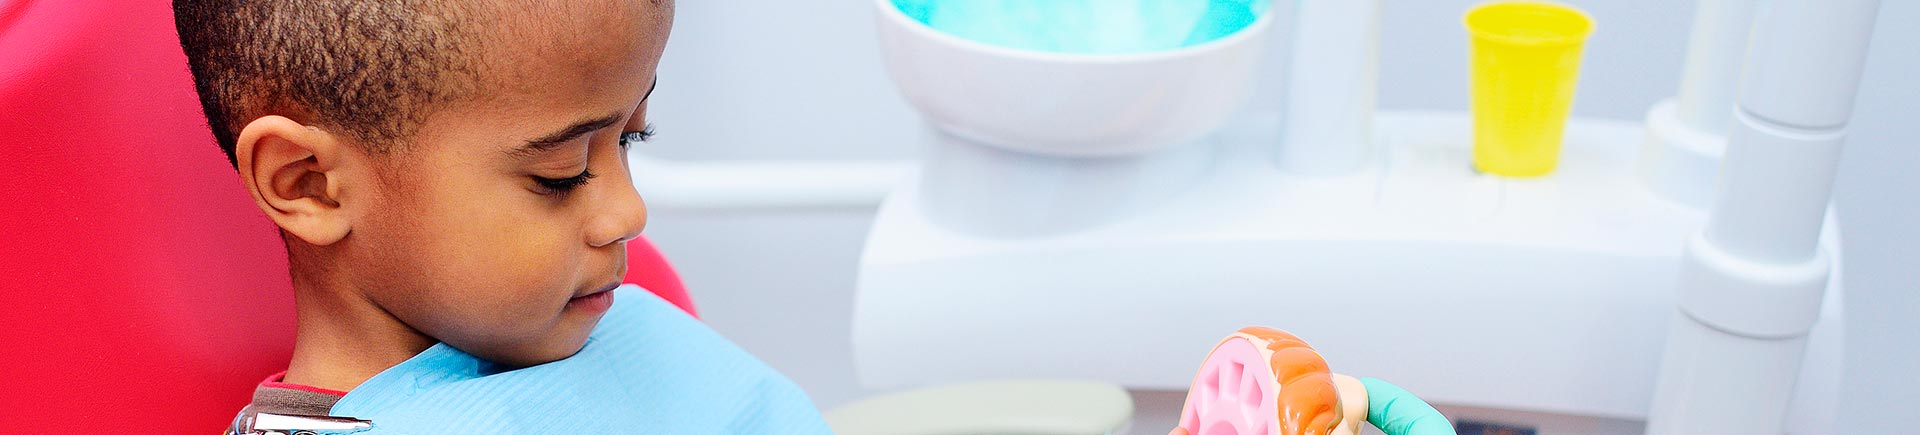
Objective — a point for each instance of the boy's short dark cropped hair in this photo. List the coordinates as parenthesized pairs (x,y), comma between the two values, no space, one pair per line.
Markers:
(372,70)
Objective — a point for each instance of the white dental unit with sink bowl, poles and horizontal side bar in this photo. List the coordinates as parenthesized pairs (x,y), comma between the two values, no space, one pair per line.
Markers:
(1111,217)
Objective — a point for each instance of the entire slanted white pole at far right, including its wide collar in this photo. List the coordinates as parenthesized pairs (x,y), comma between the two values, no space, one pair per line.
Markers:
(1754,279)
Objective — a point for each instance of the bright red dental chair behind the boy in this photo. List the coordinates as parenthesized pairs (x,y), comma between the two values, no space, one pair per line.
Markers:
(139,286)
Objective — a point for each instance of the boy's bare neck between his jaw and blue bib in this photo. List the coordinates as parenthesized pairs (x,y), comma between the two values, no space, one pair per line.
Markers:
(343,340)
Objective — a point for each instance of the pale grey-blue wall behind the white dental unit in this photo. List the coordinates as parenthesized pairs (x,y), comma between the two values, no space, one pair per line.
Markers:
(780,80)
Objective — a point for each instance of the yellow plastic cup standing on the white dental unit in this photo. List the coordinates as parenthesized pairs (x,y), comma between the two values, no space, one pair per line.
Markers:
(1525,66)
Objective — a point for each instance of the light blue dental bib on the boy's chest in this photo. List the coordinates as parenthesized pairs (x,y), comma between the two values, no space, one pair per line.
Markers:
(646,369)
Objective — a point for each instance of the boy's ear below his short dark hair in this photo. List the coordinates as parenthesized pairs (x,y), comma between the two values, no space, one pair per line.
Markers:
(295,175)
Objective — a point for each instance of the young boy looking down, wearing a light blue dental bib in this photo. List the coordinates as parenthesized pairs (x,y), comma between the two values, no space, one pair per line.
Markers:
(450,183)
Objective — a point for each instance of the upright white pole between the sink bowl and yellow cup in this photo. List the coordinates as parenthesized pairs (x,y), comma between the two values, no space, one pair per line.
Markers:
(1333,80)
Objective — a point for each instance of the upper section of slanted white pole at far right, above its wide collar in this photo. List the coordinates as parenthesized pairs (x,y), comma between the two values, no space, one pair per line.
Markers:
(1798,95)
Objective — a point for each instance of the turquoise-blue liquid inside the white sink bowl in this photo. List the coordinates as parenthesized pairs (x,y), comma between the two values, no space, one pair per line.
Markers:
(1088,26)
